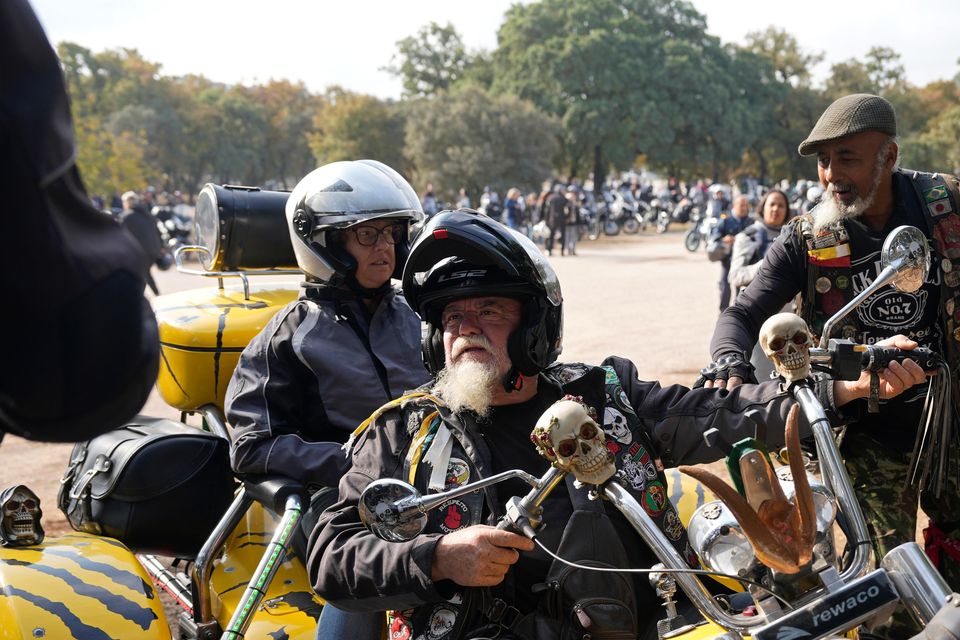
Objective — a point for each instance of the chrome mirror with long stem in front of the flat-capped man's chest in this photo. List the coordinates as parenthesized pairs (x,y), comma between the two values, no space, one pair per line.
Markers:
(904,260)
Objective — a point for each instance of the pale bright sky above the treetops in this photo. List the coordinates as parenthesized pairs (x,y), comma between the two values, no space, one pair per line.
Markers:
(346,42)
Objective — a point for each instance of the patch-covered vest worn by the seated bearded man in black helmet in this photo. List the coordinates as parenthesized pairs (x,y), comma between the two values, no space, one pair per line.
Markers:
(445,453)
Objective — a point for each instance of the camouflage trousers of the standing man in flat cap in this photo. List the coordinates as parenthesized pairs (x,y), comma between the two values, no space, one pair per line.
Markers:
(889,506)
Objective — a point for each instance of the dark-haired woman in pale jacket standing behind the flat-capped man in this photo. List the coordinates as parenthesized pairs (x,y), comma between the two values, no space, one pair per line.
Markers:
(749,247)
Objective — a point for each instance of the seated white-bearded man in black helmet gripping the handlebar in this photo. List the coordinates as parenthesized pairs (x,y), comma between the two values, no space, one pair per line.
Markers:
(493,312)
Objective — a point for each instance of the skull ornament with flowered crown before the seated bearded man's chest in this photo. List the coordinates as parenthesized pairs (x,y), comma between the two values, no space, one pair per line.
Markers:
(567,434)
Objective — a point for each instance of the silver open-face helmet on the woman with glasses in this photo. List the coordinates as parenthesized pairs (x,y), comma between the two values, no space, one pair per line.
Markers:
(337,196)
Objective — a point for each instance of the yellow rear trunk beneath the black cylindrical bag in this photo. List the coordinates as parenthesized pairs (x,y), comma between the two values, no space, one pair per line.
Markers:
(203,332)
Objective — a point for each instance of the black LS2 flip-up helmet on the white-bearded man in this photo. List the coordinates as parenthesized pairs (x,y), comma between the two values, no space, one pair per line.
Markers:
(462,253)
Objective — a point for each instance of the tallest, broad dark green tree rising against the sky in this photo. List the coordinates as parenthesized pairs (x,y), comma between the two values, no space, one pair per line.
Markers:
(633,77)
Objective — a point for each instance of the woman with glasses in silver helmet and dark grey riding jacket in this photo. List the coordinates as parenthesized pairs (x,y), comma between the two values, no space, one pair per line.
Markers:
(349,344)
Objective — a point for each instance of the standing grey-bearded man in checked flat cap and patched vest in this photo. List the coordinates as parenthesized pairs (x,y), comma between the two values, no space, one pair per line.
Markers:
(830,255)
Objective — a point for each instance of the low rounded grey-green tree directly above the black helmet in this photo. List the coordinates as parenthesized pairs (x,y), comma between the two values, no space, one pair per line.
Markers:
(470,138)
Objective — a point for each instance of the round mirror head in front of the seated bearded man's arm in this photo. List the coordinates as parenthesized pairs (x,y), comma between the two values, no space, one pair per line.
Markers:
(388,508)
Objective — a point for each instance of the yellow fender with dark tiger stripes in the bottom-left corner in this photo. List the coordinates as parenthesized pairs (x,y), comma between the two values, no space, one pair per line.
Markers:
(109,594)
